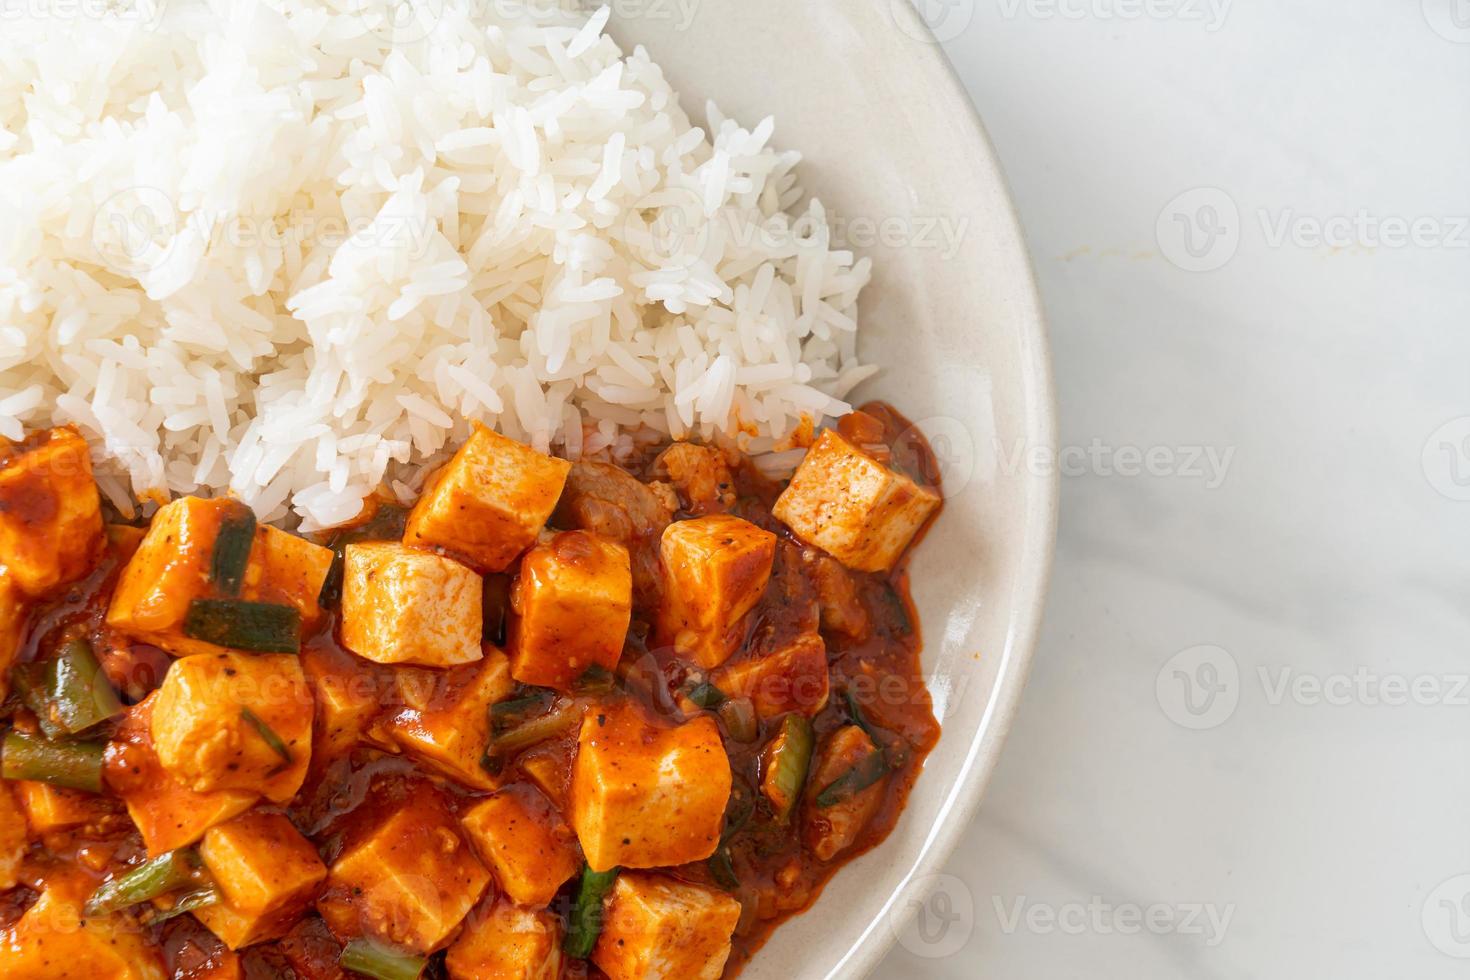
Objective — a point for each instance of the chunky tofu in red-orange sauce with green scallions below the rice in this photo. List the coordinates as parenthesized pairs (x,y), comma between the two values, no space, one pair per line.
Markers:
(609,718)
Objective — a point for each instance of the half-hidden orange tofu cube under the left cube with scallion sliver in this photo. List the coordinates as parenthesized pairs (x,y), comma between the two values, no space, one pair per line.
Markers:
(167,813)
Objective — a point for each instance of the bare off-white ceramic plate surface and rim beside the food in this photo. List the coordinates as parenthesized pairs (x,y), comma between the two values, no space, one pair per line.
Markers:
(894,148)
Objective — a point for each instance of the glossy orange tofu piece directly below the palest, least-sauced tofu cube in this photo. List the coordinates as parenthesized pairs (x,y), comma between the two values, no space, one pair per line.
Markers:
(451,732)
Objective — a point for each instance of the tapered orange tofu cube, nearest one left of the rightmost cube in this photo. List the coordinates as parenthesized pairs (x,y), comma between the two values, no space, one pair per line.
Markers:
(715,571)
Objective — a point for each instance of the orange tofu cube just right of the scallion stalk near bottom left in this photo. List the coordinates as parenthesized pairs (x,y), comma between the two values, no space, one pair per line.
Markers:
(267,873)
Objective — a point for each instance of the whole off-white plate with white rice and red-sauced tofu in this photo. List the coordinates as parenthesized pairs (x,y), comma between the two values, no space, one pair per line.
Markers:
(502,490)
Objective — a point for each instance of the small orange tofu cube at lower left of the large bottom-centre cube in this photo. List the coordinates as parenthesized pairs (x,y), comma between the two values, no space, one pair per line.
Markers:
(526,843)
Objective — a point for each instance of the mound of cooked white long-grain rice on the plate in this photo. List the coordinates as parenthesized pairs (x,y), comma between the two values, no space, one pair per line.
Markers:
(287,249)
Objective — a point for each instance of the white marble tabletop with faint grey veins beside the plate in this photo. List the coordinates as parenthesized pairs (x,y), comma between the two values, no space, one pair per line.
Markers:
(1313,819)
